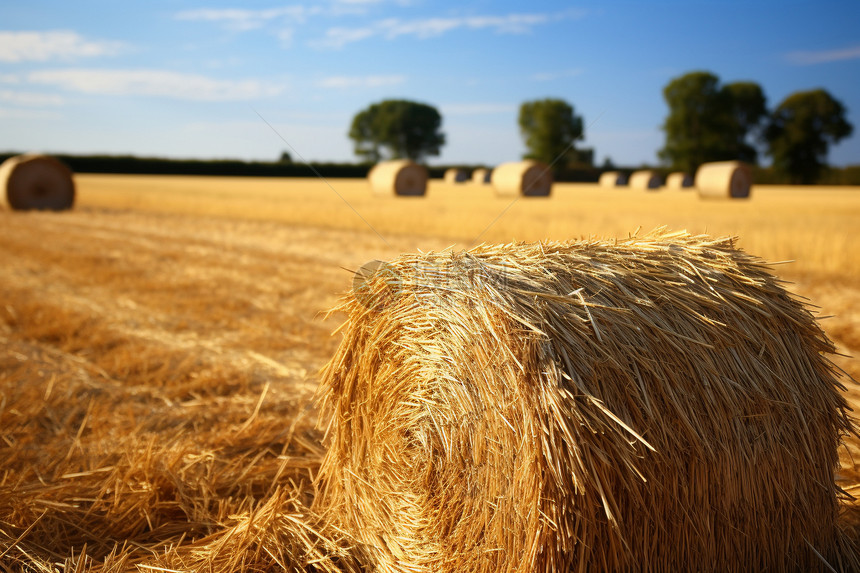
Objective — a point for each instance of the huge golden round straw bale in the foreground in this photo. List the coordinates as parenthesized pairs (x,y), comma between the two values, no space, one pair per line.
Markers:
(656,403)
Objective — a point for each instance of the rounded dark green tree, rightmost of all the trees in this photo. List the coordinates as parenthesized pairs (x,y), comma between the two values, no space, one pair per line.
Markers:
(800,132)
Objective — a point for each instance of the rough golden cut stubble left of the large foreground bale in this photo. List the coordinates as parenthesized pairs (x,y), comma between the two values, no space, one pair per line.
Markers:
(155,380)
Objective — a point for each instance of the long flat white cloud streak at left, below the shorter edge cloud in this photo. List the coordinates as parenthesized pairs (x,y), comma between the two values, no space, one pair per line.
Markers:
(159,83)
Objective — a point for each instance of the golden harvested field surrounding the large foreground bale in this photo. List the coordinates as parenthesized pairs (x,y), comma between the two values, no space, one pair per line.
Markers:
(159,345)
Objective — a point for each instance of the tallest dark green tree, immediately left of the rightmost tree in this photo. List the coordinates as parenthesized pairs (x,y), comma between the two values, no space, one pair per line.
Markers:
(710,122)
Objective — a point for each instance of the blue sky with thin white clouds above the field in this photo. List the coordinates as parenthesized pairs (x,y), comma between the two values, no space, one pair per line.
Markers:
(188,78)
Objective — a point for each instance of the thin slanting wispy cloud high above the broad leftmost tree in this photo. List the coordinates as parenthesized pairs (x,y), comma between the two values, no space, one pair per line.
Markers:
(392,28)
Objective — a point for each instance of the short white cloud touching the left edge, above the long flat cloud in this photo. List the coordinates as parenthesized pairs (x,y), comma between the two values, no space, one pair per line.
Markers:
(52,45)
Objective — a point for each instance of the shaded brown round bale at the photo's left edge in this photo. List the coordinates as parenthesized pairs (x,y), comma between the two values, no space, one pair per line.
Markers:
(34,181)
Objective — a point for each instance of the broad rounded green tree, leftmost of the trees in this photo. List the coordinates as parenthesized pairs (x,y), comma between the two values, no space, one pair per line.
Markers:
(397,129)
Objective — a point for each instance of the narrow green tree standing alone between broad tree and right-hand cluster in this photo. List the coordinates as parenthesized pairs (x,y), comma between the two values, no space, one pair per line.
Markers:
(550,127)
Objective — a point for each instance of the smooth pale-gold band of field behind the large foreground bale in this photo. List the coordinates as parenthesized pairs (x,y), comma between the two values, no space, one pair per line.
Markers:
(815,227)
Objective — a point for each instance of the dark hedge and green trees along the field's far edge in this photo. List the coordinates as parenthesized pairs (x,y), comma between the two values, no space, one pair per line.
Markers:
(707,121)
